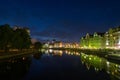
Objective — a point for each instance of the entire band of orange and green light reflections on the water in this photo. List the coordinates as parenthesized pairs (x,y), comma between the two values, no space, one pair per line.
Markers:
(99,64)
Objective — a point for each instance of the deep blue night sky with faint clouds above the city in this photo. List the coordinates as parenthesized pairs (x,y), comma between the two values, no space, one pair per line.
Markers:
(65,20)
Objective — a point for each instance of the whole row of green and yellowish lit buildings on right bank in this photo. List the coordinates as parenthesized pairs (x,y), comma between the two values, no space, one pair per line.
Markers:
(110,39)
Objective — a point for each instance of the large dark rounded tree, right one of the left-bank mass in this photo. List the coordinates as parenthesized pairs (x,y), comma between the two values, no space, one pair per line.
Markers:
(22,38)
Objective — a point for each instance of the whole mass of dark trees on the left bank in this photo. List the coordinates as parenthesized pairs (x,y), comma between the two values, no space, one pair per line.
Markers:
(13,39)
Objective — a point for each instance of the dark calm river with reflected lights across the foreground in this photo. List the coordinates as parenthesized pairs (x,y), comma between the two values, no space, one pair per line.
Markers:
(59,65)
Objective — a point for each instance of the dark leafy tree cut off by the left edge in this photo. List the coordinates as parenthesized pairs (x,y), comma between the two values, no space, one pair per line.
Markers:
(6,37)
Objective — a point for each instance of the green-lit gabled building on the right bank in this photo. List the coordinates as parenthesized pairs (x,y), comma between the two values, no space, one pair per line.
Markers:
(95,41)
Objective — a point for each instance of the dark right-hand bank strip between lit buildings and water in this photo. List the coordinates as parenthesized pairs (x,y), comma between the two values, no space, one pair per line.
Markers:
(105,53)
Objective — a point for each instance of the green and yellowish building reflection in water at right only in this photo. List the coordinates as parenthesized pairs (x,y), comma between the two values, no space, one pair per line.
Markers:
(101,64)
